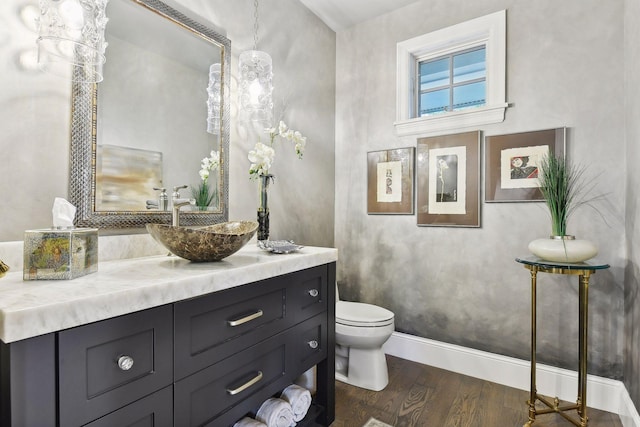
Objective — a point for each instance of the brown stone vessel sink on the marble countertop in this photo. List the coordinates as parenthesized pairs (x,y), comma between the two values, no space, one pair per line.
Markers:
(201,244)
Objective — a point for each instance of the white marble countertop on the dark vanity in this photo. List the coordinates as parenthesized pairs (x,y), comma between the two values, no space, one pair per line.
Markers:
(32,308)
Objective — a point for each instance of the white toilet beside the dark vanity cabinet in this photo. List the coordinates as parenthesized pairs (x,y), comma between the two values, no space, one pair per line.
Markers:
(361,330)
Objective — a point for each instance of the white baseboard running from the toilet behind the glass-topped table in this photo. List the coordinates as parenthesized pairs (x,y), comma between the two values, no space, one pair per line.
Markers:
(603,393)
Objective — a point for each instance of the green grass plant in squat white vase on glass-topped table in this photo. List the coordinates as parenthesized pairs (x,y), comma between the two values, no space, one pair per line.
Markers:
(563,188)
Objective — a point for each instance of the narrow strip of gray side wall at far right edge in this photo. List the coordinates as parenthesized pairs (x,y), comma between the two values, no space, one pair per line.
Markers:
(632,128)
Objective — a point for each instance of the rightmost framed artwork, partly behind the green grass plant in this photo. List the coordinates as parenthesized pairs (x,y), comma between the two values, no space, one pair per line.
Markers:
(511,164)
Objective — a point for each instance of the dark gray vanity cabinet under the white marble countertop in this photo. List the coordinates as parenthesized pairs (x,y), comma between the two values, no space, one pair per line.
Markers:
(208,361)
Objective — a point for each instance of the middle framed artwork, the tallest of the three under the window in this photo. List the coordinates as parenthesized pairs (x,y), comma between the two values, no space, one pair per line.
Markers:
(448,187)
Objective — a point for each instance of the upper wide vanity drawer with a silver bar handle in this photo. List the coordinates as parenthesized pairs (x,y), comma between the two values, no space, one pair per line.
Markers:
(211,328)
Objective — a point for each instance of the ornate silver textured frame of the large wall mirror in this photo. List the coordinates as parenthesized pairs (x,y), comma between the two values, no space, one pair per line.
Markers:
(82,173)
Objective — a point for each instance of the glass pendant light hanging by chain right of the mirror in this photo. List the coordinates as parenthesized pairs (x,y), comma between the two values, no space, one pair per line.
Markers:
(255,87)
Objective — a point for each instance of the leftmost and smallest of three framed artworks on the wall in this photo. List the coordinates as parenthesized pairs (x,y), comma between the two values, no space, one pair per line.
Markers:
(390,181)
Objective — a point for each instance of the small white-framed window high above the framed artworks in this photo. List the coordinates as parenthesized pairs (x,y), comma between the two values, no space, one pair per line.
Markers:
(452,78)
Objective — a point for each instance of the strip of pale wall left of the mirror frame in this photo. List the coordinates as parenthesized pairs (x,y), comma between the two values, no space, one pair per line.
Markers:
(34,126)
